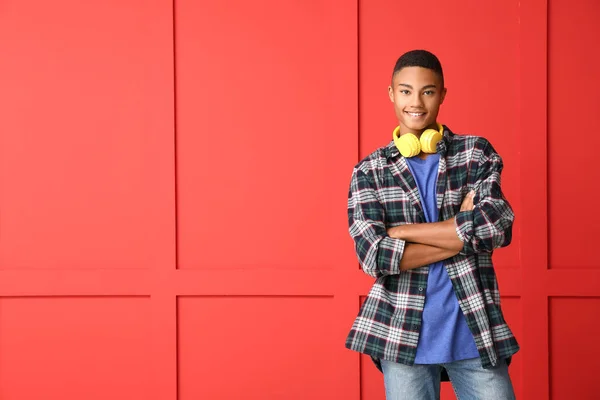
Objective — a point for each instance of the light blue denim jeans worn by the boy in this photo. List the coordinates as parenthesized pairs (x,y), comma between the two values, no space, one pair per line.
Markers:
(469,380)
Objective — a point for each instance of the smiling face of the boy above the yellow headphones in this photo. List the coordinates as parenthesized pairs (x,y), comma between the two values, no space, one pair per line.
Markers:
(417,94)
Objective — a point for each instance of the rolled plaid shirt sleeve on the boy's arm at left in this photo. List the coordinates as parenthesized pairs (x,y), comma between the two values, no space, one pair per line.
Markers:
(378,254)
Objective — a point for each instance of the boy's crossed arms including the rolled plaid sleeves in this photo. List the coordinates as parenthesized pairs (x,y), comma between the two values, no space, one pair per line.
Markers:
(480,227)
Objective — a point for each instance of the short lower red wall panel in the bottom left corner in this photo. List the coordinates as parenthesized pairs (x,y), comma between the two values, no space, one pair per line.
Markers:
(89,348)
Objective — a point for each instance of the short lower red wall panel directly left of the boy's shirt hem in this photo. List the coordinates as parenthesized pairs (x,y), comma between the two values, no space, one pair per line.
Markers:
(256,347)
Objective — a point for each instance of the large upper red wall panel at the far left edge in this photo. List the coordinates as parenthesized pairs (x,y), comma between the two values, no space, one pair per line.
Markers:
(86,154)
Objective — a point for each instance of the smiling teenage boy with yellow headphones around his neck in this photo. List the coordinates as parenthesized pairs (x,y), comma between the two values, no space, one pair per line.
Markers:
(426,213)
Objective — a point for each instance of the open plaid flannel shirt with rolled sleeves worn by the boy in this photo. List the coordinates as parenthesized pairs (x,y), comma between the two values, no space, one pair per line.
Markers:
(383,193)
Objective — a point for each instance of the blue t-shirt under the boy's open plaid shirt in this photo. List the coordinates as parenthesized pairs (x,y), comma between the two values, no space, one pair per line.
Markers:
(445,336)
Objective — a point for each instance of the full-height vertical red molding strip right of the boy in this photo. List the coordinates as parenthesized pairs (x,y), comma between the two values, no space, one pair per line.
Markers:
(534,222)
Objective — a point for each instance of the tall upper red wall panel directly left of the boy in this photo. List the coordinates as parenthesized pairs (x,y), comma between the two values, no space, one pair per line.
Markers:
(264,161)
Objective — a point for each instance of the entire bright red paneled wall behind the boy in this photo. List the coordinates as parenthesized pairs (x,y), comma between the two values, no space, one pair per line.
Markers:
(174,175)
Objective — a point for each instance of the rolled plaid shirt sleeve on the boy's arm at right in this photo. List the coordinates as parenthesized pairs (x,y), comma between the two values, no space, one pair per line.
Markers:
(489,225)
